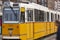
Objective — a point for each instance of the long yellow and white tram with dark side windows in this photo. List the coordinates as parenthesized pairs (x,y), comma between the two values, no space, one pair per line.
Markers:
(28,21)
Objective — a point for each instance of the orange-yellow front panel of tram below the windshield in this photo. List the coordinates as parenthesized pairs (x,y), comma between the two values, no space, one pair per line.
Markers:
(6,32)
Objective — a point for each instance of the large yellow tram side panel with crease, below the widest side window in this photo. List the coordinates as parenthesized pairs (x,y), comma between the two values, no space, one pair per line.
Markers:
(39,29)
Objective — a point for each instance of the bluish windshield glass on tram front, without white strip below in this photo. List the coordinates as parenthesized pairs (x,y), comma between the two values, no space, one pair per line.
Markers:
(9,15)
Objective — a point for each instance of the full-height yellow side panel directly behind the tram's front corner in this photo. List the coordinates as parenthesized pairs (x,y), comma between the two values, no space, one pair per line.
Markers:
(23,31)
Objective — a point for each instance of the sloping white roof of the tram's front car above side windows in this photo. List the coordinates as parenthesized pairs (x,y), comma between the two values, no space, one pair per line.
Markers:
(34,6)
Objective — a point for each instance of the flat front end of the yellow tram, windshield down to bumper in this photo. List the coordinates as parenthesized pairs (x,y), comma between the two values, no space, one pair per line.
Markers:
(10,25)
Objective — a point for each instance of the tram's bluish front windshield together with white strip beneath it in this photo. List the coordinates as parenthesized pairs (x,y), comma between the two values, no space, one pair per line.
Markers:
(11,15)
